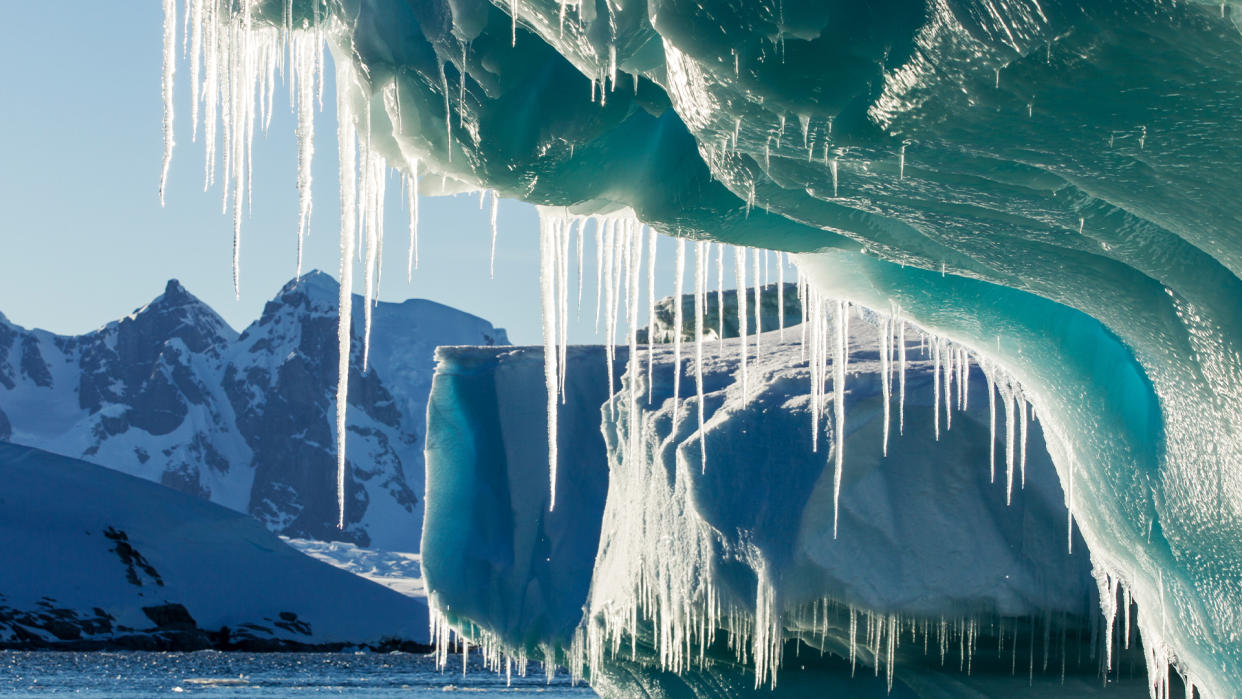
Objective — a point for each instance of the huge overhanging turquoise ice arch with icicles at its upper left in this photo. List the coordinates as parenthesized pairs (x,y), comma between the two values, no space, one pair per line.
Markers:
(1046,184)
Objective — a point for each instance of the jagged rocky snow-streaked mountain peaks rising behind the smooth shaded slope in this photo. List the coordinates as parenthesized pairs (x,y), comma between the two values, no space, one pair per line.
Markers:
(172,394)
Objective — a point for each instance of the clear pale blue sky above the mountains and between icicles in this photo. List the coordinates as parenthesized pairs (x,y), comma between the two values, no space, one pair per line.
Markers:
(85,240)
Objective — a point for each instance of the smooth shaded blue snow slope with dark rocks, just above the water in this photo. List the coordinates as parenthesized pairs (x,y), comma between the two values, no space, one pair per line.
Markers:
(86,549)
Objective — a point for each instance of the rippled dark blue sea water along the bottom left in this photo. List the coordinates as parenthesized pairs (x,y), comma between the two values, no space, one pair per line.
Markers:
(211,674)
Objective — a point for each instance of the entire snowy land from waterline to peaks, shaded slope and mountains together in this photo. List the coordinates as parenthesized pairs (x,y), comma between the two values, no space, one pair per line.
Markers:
(172,395)
